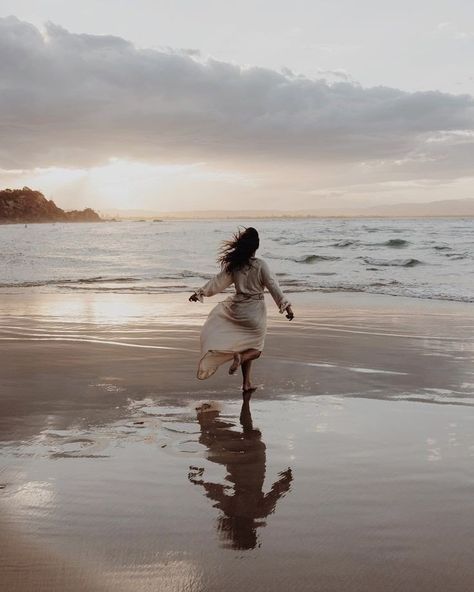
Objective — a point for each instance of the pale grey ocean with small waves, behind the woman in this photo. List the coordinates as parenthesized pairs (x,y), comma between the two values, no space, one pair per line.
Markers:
(422,258)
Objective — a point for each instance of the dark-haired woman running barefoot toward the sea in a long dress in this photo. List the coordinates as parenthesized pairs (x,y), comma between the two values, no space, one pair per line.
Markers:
(235,328)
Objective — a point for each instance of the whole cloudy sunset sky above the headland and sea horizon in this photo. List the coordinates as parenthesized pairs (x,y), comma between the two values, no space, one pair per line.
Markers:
(185,105)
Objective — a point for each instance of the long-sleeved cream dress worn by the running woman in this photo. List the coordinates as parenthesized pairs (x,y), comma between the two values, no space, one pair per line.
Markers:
(239,322)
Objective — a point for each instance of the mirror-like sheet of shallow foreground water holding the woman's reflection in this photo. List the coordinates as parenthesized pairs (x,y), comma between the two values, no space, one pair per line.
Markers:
(348,494)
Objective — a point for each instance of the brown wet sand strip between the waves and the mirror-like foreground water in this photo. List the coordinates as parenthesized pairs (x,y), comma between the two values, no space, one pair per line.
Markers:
(358,345)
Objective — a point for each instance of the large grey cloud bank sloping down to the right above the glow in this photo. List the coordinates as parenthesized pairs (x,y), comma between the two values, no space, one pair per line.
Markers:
(76,100)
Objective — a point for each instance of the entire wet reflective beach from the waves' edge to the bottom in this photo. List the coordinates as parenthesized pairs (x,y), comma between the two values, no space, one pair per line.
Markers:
(352,468)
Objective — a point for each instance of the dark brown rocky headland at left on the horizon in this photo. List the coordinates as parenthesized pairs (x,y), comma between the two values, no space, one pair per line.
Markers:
(28,206)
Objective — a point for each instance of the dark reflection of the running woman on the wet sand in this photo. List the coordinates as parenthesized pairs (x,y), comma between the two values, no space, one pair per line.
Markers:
(242,502)
